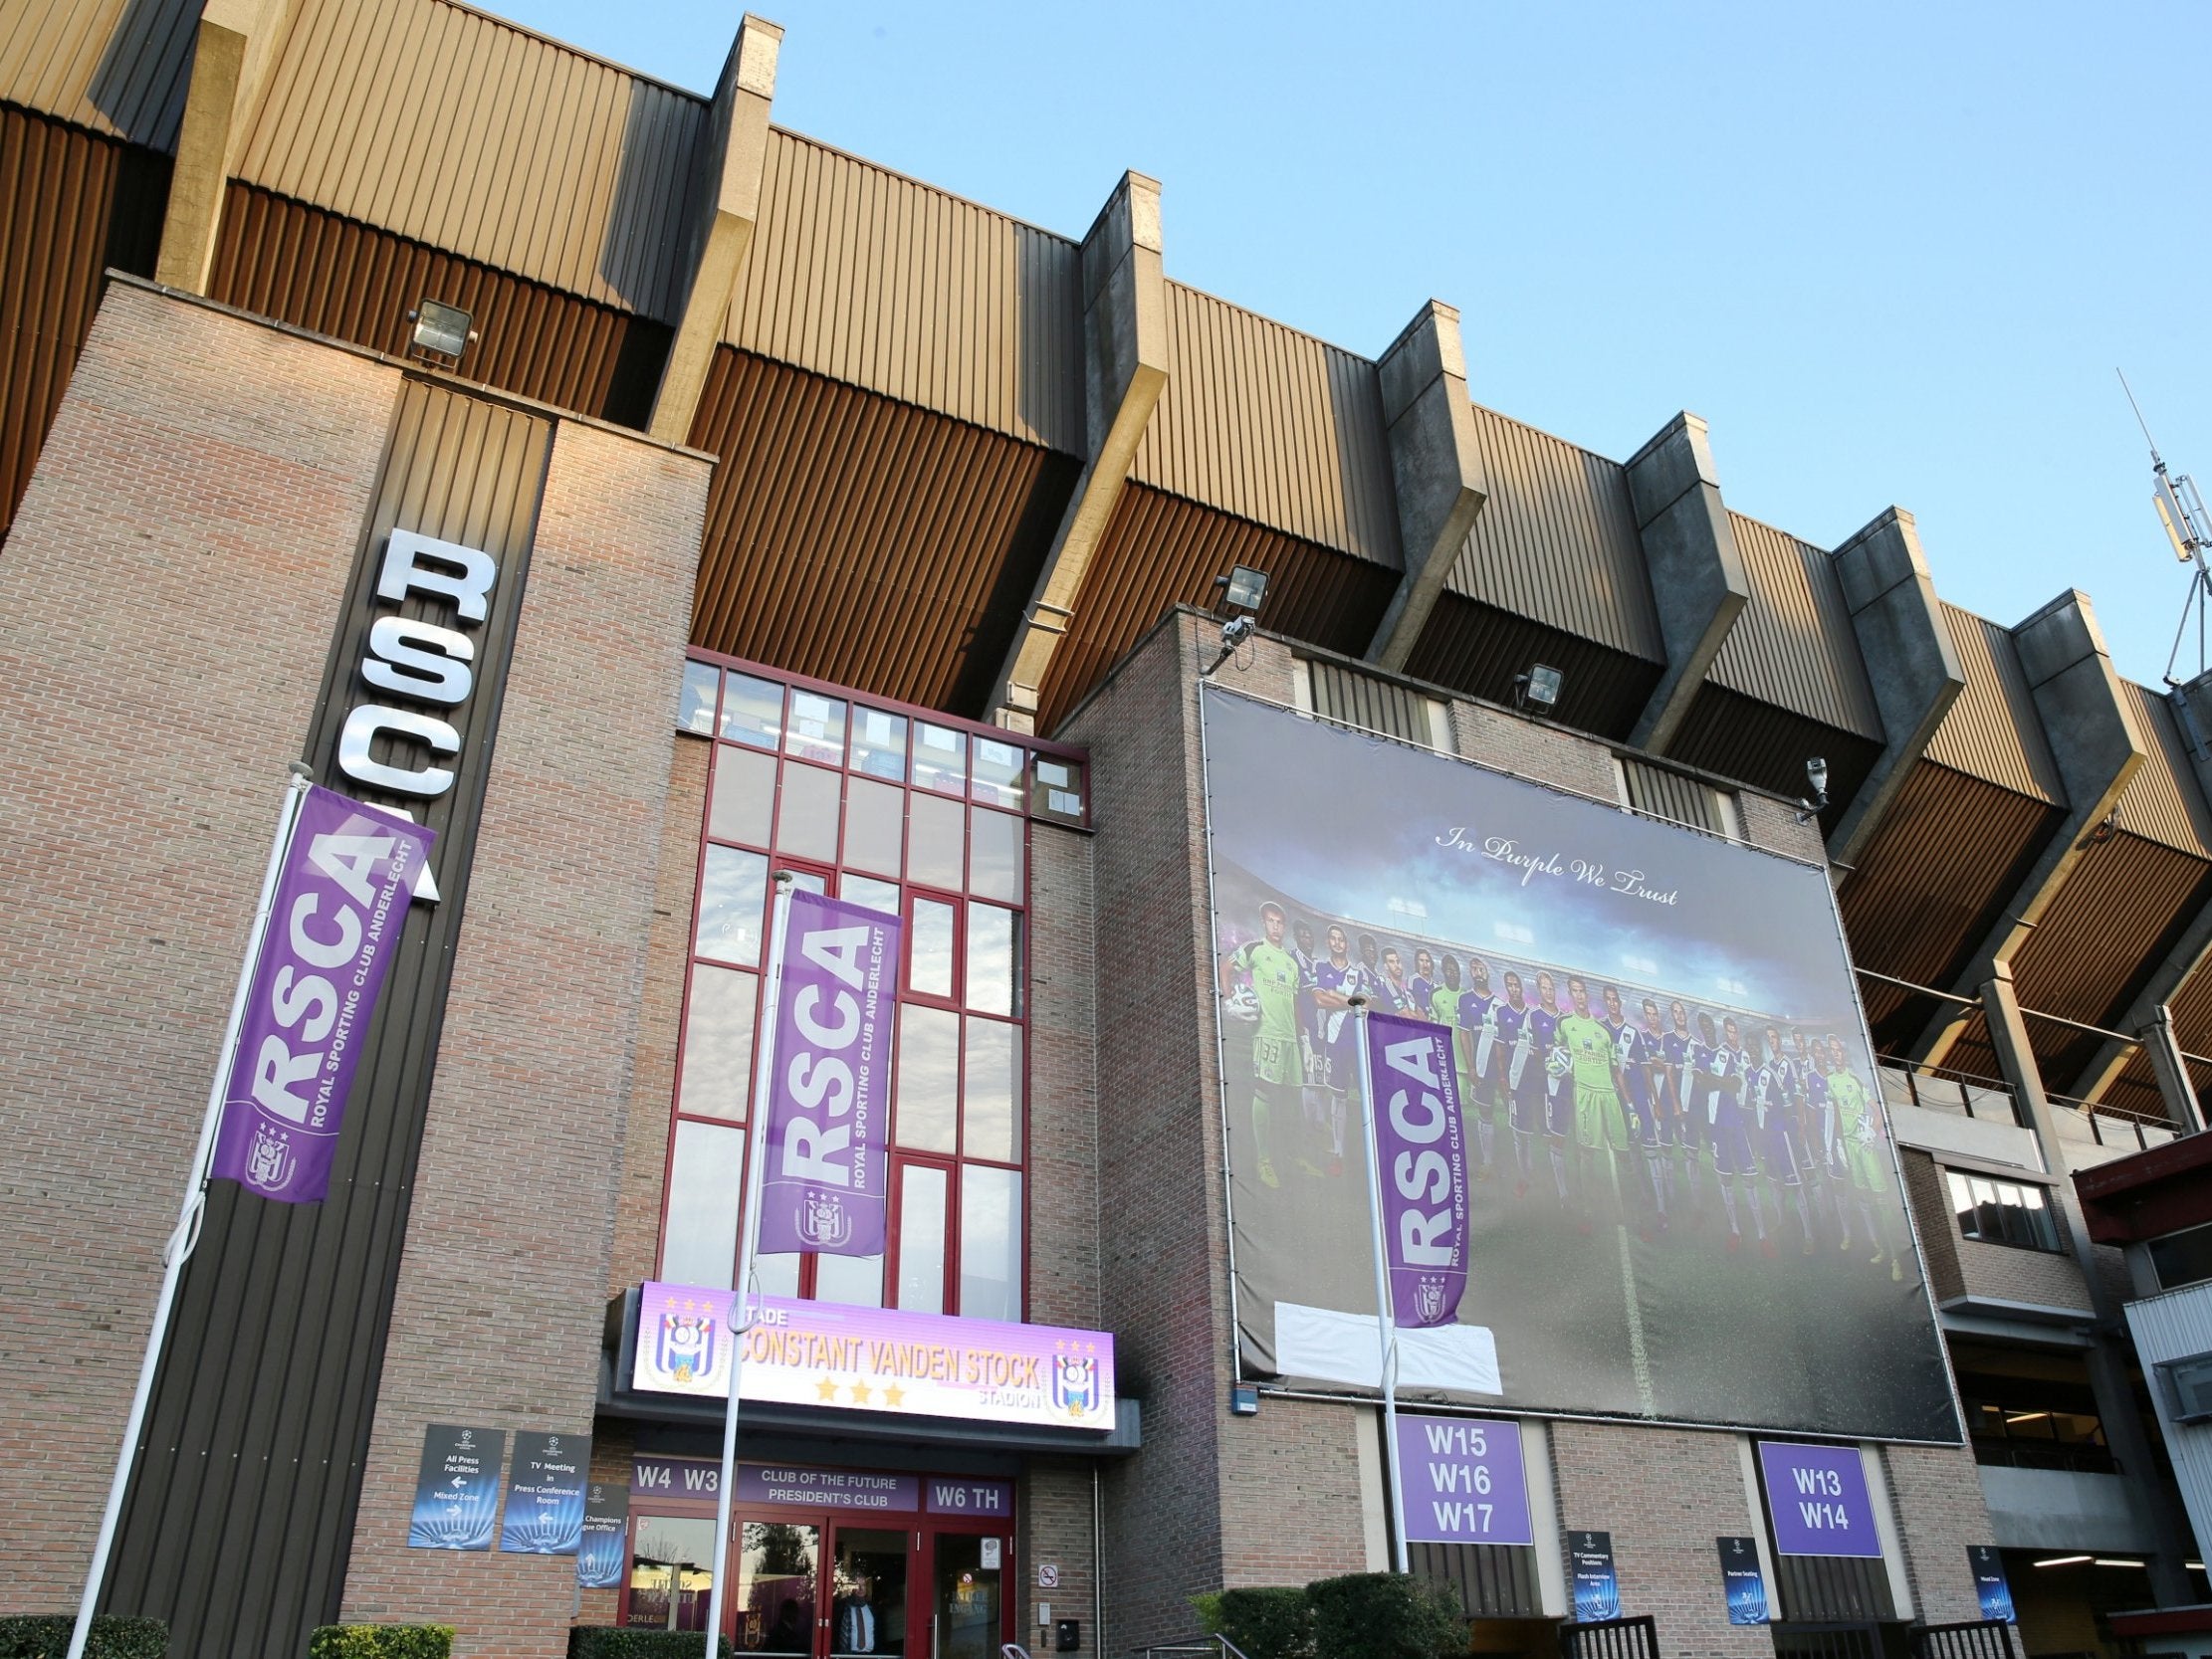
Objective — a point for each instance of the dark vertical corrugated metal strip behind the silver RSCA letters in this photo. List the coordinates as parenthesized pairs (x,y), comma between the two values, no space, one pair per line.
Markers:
(238,1525)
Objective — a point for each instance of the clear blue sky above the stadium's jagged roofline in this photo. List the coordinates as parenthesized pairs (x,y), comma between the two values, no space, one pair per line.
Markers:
(1892,253)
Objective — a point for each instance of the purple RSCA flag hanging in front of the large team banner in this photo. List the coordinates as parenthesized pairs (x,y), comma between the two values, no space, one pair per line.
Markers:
(1423,1178)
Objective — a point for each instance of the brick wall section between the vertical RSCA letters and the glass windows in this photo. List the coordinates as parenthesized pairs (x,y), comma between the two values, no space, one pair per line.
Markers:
(497,1317)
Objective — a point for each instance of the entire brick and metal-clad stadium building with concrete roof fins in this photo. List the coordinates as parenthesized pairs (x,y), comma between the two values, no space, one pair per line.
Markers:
(822,521)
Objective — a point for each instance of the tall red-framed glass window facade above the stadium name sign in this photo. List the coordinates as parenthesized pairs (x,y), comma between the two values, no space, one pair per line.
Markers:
(908,815)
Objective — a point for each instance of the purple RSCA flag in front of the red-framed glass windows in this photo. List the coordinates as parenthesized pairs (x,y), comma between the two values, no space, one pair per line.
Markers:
(828,1098)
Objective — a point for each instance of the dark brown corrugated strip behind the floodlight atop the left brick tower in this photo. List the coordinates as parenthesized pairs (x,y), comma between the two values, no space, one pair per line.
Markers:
(311,269)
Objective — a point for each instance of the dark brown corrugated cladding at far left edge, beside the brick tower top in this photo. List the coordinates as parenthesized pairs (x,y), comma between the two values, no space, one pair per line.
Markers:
(79,205)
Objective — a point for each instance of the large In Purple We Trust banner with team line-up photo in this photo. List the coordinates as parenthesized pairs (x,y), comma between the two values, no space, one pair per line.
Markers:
(1684,1204)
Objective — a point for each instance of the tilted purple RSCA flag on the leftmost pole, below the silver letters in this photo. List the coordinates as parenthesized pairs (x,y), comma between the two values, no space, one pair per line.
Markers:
(342,899)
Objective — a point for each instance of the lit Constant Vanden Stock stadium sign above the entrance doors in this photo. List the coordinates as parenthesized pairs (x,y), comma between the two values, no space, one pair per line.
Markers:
(875,1359)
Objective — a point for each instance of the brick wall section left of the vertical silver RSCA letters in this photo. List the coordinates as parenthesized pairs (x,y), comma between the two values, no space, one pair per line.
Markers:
(167,601)
